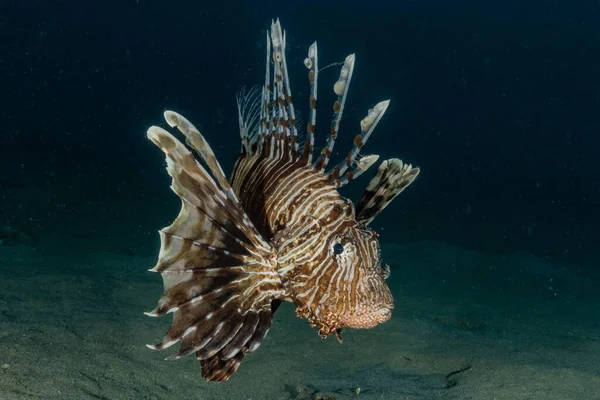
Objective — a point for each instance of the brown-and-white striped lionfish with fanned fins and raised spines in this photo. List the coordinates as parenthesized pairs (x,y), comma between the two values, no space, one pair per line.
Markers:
(277,230)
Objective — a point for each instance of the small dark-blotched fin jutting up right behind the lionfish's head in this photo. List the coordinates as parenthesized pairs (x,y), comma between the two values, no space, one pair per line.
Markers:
(393,176)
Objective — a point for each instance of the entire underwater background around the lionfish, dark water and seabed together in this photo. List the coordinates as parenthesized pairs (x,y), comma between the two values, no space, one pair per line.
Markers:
(493,249)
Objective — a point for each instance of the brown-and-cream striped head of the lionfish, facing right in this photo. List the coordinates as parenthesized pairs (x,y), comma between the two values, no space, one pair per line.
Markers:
(337,279)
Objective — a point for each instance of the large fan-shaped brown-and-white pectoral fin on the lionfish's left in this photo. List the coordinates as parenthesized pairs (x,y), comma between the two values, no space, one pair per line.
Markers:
(218,272)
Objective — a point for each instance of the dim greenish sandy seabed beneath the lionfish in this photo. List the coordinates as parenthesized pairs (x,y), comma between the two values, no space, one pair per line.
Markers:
(466,325)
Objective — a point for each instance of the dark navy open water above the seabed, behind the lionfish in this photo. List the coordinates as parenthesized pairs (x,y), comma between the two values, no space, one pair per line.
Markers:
(497,102)
